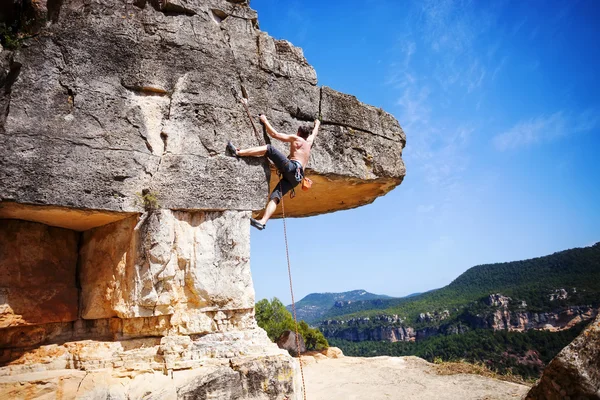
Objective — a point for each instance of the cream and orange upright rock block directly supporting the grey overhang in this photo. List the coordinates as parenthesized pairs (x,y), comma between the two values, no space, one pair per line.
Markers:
(193,266)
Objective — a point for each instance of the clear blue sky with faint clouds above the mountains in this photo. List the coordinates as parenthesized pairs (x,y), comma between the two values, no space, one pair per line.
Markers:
(500,102)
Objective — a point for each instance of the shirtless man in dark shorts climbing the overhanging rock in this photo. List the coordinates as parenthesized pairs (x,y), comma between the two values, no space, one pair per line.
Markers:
(291,168)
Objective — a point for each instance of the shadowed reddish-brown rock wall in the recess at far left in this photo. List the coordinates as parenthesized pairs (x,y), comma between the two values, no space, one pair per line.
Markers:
(37,274)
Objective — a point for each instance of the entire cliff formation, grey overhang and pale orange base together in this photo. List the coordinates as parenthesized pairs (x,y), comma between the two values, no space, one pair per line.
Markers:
(124,234)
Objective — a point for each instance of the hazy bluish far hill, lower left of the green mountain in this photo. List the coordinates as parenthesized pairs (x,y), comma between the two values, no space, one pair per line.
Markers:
(312,307)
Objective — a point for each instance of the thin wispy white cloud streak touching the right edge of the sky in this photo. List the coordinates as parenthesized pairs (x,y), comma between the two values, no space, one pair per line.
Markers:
(545,128)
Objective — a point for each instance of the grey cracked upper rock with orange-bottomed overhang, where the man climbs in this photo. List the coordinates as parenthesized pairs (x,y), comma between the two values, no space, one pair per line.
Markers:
(112,98)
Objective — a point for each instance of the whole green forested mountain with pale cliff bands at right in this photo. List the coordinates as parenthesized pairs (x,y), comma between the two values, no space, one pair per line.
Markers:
(515,316)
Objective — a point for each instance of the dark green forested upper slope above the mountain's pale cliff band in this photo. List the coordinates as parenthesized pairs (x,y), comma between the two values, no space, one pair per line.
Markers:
(532,281)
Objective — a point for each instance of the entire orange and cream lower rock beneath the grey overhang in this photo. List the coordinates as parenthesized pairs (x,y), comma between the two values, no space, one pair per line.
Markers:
(161,303)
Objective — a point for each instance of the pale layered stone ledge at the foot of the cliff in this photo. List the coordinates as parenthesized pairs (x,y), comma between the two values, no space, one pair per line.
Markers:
(236,365)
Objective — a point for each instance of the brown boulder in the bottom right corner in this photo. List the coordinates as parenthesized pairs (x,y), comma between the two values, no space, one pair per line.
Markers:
(575,372)
